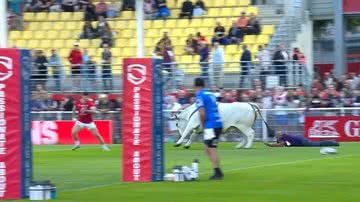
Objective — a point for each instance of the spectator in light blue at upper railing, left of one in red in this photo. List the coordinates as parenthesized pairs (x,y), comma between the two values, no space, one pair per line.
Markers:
(57,69)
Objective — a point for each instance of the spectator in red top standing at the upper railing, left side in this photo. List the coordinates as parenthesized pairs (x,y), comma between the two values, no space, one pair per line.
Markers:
(75,59)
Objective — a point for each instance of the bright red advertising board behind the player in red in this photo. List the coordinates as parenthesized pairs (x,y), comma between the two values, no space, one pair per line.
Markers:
(59,132)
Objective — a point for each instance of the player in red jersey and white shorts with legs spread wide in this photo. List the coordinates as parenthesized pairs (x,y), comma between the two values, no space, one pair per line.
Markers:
(85,108)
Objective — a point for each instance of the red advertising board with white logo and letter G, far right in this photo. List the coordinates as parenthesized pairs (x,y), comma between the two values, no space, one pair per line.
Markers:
(340,128)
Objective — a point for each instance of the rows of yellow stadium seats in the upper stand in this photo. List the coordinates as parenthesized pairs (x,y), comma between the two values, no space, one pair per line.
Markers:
(48,30)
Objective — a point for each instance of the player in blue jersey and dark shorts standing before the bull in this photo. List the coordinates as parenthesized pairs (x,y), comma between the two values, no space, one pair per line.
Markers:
(211,122)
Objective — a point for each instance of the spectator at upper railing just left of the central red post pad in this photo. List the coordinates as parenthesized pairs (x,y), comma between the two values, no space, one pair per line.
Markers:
(106,57)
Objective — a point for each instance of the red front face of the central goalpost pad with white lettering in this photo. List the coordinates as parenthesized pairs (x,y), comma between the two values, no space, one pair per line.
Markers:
(137,120)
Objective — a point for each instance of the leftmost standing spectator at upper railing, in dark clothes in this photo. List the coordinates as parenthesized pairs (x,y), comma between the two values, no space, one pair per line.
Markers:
(40,69)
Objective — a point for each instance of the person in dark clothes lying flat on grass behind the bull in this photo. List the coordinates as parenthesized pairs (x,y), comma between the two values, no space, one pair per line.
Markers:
(286,140)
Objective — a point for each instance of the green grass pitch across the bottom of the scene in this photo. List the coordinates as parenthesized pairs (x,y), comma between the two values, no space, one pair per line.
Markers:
(254,175)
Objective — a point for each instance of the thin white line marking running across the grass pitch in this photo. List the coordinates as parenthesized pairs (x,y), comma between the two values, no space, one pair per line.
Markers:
(229,170)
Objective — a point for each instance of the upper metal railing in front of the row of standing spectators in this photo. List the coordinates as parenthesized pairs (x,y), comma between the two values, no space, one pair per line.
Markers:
(230,75)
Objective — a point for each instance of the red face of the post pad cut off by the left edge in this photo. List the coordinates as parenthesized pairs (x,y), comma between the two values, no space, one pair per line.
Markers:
(10,125)
